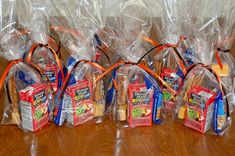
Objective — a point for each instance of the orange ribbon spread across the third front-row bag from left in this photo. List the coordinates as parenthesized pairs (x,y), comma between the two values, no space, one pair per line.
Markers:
(142,66)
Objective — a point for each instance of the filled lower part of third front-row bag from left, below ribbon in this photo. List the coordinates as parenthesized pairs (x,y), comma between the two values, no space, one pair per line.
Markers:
(138,98)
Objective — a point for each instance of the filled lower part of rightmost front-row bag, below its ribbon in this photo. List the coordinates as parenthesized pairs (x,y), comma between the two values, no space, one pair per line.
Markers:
(201,105)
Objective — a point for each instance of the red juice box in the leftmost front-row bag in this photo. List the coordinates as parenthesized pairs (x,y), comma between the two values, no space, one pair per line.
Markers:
(34,107)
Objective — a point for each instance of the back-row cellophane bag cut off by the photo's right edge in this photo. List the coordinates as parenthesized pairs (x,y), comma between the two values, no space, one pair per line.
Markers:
(226,68)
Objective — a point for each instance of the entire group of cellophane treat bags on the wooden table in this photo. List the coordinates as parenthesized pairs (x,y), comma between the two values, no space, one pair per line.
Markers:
(188,77)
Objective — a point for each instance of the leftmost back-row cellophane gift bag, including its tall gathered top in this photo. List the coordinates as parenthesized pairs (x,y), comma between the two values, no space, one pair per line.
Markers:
(42,52)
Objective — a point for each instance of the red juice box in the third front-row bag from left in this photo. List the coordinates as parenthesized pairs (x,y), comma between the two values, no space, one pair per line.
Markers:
(140,105)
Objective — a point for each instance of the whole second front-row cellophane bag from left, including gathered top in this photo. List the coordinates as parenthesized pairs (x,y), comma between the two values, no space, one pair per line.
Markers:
(82,99)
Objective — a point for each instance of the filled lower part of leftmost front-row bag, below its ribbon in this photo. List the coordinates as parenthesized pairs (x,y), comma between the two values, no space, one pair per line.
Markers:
(27,102)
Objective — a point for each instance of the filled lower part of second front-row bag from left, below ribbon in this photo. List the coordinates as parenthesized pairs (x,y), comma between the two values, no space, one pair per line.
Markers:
(83,101)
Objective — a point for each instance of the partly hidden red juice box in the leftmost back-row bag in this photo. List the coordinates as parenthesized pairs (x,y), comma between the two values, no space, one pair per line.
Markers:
(51,71)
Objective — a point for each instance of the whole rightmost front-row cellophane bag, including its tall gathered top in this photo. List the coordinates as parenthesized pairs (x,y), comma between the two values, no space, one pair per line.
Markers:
(202,104)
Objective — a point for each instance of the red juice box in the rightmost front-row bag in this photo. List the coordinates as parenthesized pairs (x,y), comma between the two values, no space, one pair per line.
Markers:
(200,109)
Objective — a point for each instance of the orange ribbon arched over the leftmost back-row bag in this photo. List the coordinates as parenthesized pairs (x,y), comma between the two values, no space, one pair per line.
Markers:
(33,48)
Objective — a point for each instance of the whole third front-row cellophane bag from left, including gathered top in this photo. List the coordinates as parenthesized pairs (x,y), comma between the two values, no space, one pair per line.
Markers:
(137,98)
